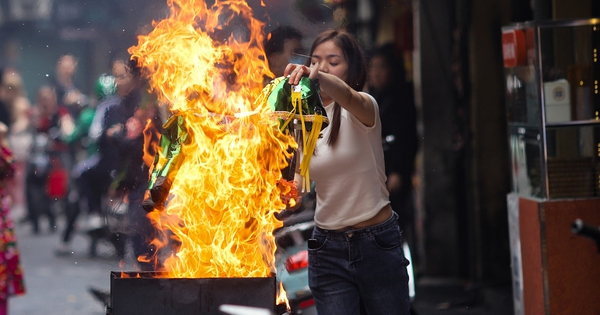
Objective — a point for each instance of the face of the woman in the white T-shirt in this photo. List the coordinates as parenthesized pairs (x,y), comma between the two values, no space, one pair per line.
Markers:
(330,59)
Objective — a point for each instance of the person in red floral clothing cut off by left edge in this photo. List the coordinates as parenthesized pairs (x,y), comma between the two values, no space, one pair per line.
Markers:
(11,273)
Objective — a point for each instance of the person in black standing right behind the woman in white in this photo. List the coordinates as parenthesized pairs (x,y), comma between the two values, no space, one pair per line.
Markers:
(386,81)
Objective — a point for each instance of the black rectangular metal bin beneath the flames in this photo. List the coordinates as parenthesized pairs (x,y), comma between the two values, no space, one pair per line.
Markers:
(146,293)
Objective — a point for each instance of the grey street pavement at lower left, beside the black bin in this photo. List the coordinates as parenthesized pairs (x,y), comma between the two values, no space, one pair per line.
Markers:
(59,284)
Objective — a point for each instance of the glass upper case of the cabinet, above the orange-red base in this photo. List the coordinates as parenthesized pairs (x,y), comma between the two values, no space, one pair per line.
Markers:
(552,74)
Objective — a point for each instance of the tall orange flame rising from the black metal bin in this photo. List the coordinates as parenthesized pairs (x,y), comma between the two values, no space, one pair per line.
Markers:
(208,64)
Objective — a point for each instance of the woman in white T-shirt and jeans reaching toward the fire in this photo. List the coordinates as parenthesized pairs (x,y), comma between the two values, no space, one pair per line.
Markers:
(355,256)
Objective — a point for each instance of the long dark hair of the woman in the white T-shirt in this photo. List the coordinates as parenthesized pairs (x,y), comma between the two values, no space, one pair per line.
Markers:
(357,69)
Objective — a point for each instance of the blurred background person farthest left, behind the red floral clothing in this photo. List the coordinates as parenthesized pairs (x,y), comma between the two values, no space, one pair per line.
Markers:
(14,112)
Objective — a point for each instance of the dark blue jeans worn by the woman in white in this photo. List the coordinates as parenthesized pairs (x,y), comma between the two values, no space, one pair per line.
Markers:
(365,266)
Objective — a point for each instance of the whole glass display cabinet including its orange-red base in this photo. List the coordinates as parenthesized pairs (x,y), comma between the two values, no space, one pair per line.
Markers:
(552,75)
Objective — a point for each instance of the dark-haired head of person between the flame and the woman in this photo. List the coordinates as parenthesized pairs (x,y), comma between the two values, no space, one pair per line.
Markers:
(280,48)
